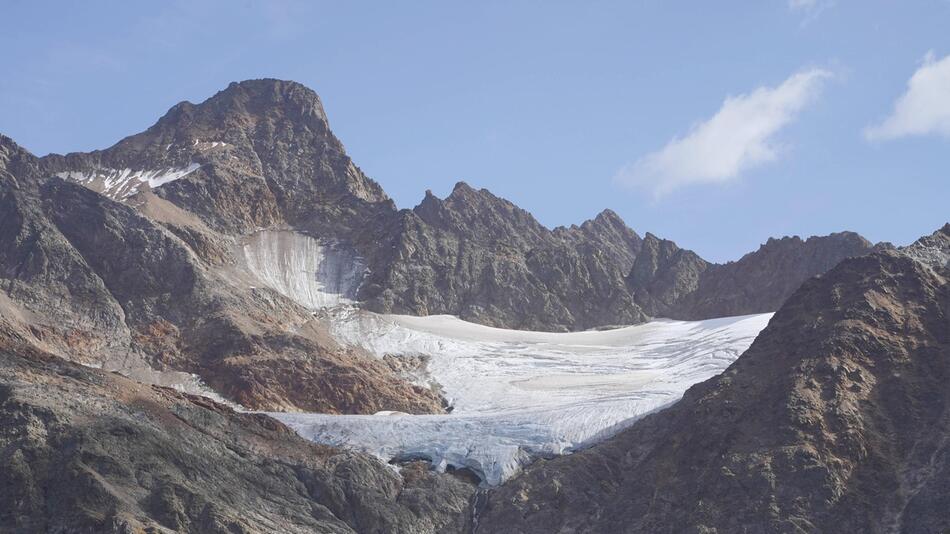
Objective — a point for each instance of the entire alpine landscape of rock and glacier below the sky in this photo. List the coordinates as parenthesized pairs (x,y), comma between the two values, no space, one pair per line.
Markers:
(221,324)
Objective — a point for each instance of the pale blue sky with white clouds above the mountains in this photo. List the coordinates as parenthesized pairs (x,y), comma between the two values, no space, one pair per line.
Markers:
(714,124)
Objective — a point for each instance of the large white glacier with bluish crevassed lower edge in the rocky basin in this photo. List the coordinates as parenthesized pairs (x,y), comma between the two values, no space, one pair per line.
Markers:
(517,395)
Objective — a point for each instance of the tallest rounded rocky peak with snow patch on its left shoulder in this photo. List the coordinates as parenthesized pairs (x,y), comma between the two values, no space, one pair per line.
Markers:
(257,154)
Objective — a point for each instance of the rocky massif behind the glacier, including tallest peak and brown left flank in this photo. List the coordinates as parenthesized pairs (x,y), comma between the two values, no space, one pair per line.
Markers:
(206,244)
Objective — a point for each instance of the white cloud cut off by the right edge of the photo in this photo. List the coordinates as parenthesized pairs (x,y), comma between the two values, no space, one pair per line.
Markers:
(924,108)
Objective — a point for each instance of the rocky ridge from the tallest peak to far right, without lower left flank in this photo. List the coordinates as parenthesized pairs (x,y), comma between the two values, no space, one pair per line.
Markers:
(260,154)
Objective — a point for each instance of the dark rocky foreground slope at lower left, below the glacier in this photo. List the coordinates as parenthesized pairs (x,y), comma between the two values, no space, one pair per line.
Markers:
(86,451)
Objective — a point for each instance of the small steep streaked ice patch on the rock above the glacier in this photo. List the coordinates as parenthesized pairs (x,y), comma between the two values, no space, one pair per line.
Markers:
(314,274)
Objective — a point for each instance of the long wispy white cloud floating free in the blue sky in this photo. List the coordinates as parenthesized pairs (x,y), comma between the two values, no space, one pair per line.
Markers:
(738,137)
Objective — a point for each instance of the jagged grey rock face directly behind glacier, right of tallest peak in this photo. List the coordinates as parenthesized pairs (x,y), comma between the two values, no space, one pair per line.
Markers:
(486,260)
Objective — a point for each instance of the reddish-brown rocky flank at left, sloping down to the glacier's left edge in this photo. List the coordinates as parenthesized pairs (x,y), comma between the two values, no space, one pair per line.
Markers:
(102,283)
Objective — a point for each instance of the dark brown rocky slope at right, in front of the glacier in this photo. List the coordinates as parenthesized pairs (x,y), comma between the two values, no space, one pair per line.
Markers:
(835,420)
